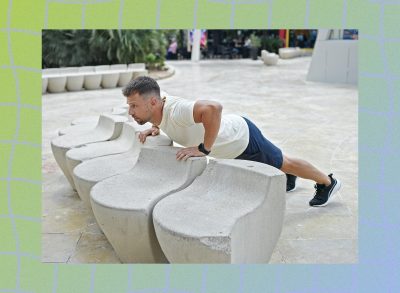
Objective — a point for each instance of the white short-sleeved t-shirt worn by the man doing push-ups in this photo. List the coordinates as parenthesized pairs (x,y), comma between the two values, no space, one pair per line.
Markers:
(178,123)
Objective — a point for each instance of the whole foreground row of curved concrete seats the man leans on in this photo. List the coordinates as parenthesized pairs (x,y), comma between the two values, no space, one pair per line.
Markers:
(124,193)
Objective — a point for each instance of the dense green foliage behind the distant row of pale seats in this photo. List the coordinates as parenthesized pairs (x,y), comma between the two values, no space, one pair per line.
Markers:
(95,47)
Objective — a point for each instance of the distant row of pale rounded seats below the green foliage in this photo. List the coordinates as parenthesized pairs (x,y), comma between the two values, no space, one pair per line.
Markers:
(57,80)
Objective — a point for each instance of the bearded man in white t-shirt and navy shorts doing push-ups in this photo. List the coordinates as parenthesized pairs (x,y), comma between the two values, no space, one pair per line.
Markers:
(203,130)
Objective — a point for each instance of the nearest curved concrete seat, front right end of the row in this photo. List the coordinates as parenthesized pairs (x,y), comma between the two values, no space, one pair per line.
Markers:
(232,213)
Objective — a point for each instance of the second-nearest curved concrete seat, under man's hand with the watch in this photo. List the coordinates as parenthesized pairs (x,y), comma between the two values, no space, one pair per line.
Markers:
(123,204)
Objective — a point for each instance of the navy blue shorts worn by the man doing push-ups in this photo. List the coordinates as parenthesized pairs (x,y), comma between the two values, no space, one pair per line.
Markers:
(261,149)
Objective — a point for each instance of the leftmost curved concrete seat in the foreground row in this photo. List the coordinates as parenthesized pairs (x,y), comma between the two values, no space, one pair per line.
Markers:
(109,127)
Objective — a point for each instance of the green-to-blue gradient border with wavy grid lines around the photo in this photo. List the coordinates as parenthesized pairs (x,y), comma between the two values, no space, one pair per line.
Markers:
(21,22)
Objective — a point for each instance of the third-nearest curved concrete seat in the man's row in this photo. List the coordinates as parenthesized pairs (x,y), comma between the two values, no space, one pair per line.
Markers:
(92,171)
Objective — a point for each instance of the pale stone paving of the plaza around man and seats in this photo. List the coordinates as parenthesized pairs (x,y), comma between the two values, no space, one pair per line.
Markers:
(314,121)
